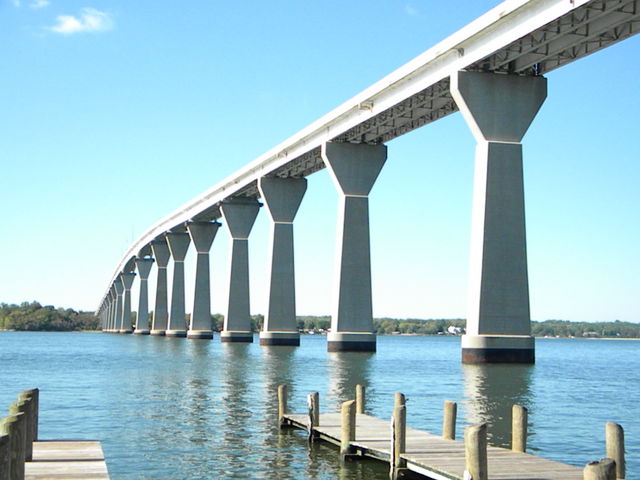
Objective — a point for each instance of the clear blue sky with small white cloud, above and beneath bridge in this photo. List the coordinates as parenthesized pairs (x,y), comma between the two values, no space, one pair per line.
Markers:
(114,113)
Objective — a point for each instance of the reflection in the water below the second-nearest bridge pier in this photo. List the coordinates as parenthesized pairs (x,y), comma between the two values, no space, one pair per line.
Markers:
(346,370)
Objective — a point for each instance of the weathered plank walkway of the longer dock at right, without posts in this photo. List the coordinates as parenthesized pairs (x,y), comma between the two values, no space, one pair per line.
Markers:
(434,457)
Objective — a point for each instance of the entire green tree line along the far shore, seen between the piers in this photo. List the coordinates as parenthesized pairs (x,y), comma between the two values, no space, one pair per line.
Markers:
(32,316)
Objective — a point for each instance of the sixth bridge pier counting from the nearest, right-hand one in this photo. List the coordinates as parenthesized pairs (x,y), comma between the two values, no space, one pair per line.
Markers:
(178,245)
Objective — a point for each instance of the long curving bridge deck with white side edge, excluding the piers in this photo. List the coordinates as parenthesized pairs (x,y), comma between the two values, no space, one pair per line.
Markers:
(507,39)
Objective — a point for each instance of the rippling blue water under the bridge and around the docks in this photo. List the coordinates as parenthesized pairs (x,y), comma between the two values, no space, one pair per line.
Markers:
(175,409)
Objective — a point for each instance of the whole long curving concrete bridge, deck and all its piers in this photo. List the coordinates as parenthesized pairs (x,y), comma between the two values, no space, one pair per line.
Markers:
(492,71)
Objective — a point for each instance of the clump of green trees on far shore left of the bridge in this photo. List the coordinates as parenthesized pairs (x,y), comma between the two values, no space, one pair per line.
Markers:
(35,317)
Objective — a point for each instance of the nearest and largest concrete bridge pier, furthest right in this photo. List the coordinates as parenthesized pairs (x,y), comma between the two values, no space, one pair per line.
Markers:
(498,109)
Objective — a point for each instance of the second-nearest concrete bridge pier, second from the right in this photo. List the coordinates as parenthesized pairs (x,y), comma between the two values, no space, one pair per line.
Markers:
(354,169)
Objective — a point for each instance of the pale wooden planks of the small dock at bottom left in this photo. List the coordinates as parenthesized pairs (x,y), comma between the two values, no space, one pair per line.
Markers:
(66,460)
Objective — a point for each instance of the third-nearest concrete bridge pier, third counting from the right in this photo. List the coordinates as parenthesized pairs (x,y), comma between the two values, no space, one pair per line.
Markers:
(282,197)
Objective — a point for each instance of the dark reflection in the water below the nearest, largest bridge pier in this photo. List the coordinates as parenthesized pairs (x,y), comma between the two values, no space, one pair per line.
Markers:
(490,392)
